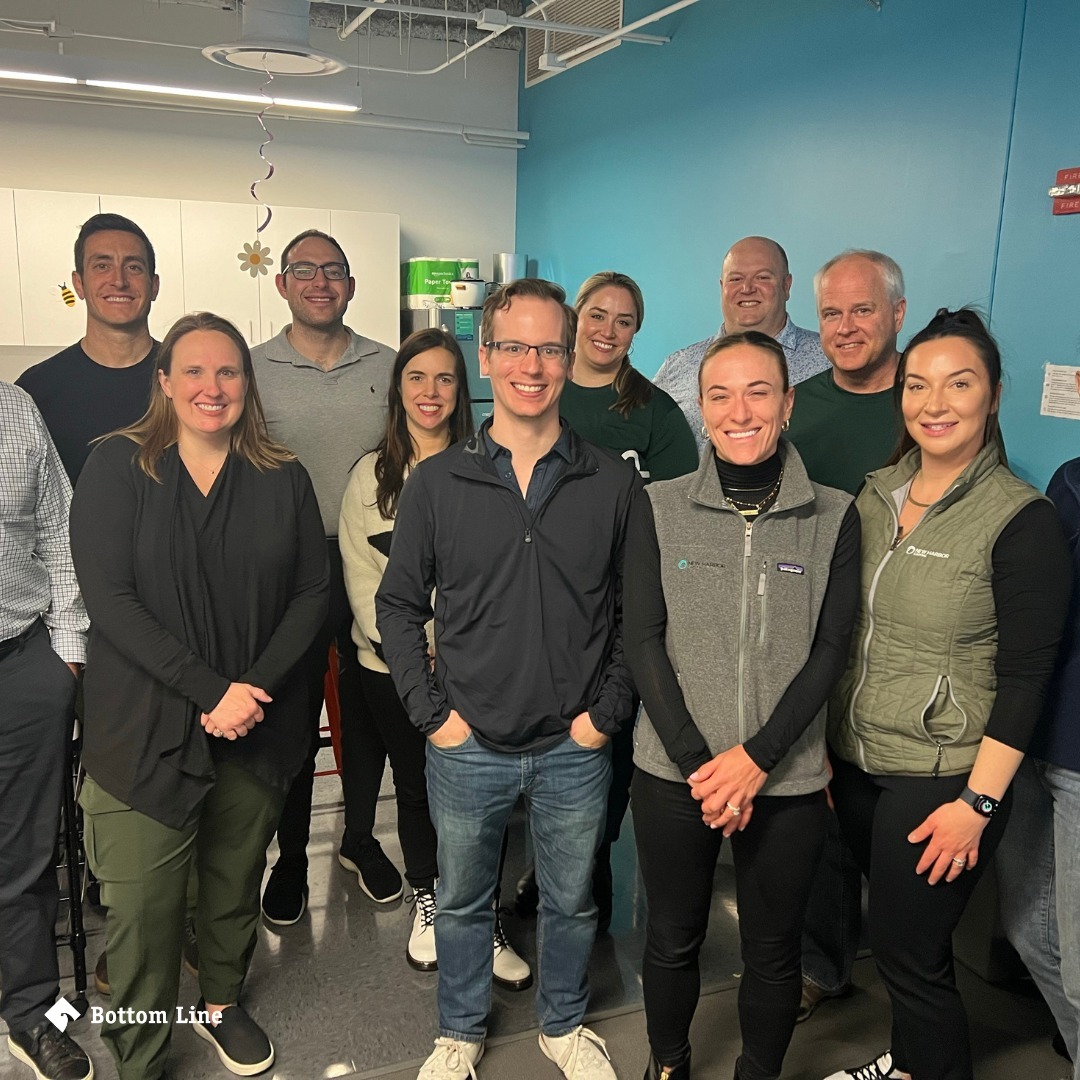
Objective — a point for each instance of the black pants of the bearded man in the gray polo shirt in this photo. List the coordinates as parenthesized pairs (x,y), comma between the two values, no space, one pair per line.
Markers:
(363,758)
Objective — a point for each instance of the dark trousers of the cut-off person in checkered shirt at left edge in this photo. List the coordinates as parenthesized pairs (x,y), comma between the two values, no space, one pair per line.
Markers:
(37,701)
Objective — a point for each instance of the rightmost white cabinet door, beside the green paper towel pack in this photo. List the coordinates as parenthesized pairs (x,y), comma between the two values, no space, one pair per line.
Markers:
(372,244)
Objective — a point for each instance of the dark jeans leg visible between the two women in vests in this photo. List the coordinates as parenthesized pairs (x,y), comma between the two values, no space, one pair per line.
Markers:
(834,915)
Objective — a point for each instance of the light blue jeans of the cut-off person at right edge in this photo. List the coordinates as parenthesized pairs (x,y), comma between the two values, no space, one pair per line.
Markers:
(1039,887)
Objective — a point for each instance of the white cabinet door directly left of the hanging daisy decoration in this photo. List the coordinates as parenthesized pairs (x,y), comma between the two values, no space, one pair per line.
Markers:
(213,280)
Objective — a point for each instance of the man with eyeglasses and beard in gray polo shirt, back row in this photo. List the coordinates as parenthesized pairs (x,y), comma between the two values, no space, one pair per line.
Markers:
(325,393)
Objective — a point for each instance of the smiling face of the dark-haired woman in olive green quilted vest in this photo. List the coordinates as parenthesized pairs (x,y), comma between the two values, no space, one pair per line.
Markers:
(948,400)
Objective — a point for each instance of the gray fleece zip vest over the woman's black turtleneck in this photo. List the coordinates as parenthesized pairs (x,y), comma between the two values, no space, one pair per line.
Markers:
(742,602)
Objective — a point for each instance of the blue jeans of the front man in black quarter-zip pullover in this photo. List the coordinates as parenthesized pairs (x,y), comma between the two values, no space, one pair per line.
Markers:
(471,792)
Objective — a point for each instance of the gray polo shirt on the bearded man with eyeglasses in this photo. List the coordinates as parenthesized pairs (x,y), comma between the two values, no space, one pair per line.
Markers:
(329,420)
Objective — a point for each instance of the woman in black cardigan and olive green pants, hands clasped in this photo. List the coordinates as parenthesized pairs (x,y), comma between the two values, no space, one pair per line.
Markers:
(200,552)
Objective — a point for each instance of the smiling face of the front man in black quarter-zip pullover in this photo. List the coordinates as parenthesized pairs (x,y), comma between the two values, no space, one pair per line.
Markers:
(526,388)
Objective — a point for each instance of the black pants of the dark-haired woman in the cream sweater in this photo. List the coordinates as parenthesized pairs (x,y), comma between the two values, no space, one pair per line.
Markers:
(395,734)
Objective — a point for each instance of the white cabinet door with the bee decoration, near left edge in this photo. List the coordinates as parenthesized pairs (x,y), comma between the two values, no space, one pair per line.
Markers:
(47,226)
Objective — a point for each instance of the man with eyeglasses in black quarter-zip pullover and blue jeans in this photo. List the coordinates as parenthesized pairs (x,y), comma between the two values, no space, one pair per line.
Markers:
(520,531)
